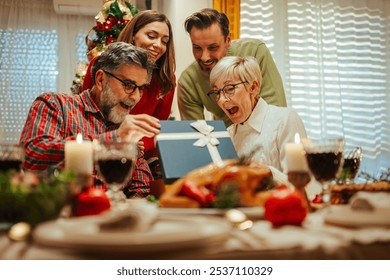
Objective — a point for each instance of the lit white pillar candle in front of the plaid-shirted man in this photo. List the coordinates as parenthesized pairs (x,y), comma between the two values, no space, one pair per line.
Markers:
(78,155)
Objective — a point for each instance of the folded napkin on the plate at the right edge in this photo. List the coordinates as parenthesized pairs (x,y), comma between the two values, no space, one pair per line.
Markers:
(368,201)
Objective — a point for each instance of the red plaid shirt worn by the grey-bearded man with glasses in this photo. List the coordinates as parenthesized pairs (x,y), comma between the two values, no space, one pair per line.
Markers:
(54,119)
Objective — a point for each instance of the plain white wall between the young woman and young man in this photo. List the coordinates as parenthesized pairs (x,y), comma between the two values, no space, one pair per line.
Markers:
(177,11)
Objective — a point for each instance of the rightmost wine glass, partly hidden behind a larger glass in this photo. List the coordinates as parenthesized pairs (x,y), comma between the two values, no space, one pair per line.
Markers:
(351,165)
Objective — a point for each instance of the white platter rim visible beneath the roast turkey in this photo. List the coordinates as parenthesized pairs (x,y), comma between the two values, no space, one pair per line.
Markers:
(251,212)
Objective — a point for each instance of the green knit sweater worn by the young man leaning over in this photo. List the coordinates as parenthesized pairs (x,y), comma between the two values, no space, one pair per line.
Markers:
(194,83)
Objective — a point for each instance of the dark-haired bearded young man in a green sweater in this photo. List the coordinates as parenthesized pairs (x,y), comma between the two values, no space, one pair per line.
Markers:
(211,41)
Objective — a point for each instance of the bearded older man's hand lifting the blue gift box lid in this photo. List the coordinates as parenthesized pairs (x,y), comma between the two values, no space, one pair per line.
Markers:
(134,127)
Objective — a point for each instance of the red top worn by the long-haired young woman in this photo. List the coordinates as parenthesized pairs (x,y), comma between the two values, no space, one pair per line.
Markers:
(149,104)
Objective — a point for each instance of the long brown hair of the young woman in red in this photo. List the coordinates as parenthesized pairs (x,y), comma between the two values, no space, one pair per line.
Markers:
(166,64)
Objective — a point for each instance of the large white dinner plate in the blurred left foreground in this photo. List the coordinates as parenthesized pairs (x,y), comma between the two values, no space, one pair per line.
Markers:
(166,234)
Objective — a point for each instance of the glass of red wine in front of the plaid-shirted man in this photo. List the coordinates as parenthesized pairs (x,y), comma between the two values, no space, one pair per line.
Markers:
(114,161)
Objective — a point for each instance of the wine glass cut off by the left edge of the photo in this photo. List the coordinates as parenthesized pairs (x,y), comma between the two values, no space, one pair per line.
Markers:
(11,156)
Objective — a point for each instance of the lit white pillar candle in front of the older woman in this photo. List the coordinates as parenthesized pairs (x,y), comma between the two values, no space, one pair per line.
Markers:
(295,155)
